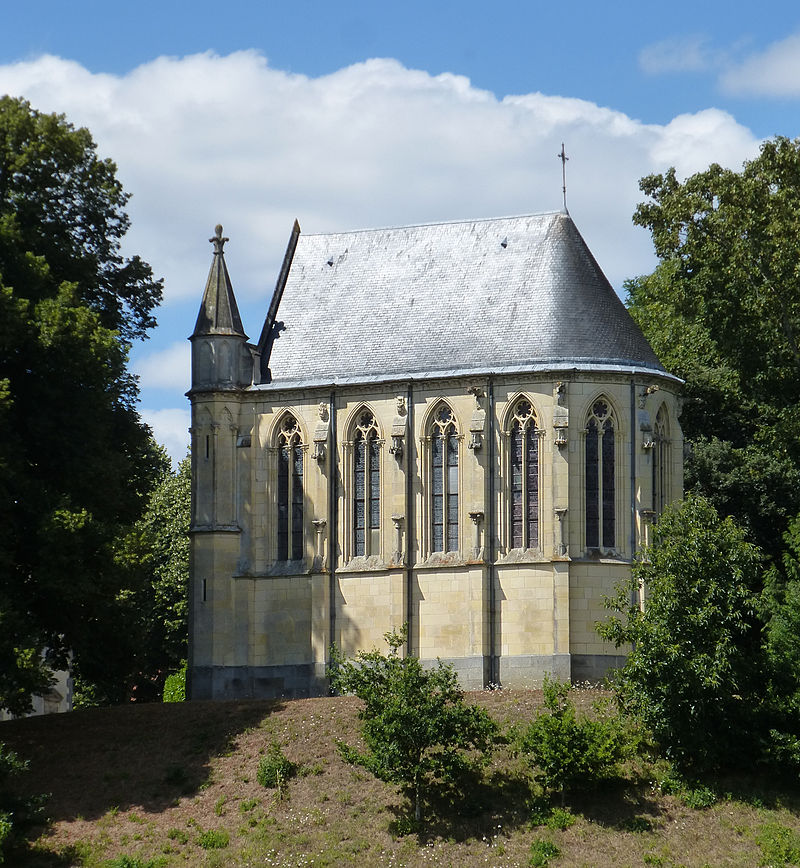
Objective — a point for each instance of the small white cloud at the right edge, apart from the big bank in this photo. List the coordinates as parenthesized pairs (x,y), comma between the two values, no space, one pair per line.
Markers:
(773,72)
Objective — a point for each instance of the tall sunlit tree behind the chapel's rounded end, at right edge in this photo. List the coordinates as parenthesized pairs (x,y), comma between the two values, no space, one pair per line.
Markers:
(722,310)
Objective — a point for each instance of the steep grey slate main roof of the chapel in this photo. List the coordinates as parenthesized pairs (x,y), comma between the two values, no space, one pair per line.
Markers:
(481,296)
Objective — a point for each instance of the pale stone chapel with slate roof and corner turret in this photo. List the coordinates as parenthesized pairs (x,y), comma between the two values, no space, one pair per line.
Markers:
(454,426)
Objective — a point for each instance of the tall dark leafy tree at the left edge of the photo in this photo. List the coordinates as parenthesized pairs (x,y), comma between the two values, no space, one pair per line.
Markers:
(76,461)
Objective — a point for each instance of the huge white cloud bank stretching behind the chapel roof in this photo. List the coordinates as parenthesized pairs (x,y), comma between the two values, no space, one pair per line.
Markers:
(207,139)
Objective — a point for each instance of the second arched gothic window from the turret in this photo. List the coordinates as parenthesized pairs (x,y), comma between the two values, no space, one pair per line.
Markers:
(366,486)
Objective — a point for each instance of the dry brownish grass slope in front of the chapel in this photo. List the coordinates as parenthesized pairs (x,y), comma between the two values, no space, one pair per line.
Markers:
(146,781)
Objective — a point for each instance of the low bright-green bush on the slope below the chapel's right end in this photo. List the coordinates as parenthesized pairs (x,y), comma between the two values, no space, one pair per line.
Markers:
(567,750)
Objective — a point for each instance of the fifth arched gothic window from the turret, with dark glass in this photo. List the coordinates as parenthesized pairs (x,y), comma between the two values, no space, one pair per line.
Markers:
(600,477)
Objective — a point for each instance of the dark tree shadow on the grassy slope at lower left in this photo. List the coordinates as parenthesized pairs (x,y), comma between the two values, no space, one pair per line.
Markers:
(101,759)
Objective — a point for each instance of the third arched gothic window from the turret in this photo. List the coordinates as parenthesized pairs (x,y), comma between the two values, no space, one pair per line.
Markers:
(444,481)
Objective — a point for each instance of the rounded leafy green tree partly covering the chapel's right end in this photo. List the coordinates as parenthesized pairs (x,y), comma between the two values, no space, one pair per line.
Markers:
(695,673)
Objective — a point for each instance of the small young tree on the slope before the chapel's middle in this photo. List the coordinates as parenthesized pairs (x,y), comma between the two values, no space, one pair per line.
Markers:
(417,727)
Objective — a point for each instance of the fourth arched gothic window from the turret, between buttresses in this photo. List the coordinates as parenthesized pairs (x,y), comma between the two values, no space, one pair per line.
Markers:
(524,477)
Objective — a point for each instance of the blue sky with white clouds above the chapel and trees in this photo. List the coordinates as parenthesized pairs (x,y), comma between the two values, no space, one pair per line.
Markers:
(361,114)
